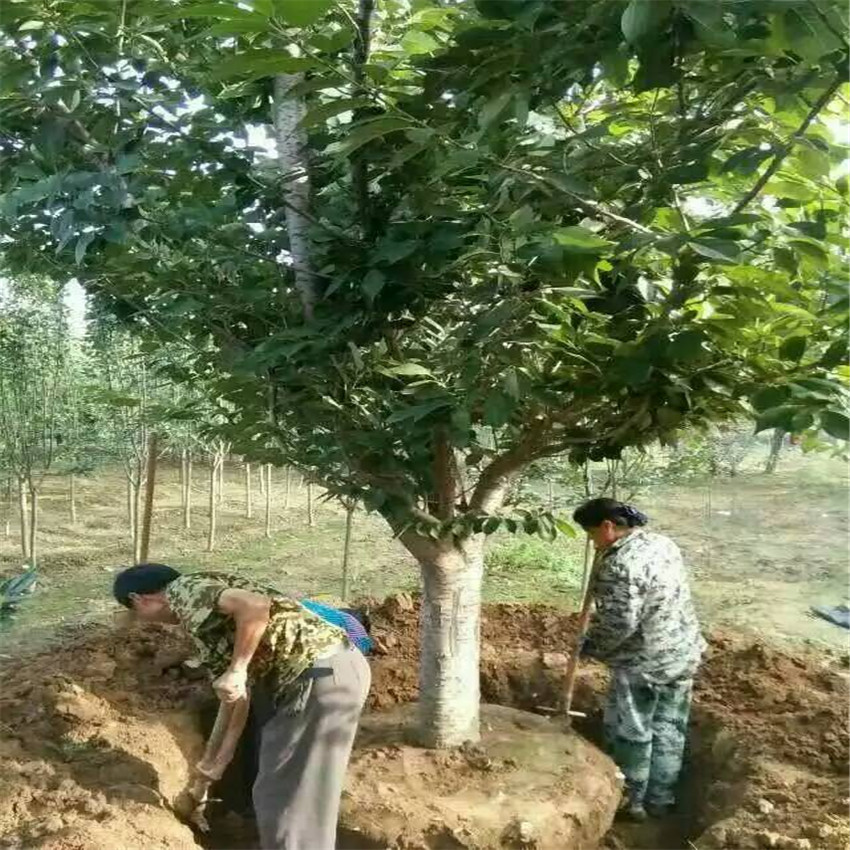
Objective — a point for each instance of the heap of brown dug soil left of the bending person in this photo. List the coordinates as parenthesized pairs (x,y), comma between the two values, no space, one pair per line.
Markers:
(97,741)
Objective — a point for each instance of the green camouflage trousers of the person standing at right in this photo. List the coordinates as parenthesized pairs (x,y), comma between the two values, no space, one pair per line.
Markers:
(645,729)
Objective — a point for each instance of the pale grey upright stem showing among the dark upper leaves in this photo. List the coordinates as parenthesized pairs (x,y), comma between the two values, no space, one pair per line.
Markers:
(291,139)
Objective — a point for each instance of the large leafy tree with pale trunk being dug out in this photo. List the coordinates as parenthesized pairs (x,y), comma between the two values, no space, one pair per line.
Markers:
(490,232)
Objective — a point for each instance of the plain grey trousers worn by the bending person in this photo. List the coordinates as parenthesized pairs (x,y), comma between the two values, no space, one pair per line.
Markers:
(303,757)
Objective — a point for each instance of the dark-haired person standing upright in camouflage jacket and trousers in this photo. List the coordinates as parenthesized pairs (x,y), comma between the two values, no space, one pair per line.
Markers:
(646,630)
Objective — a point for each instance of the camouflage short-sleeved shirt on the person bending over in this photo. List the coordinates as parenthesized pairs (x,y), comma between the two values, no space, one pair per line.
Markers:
(293,640)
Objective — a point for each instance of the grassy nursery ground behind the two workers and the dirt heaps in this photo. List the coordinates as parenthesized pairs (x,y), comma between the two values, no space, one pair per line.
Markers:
(761,550)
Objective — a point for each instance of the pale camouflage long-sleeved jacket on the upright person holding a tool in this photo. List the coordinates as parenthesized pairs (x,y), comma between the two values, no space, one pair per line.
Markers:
(645,622)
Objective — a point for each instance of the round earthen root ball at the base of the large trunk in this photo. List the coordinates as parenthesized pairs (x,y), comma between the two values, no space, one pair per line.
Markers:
(526,784)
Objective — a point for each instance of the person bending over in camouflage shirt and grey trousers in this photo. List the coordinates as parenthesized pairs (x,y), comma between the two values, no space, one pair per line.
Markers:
(305,680)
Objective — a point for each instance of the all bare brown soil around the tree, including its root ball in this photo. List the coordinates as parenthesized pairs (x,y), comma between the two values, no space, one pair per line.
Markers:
(97,737)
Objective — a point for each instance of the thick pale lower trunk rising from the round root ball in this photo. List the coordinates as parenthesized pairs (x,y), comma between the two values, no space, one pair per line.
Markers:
(449,691)
